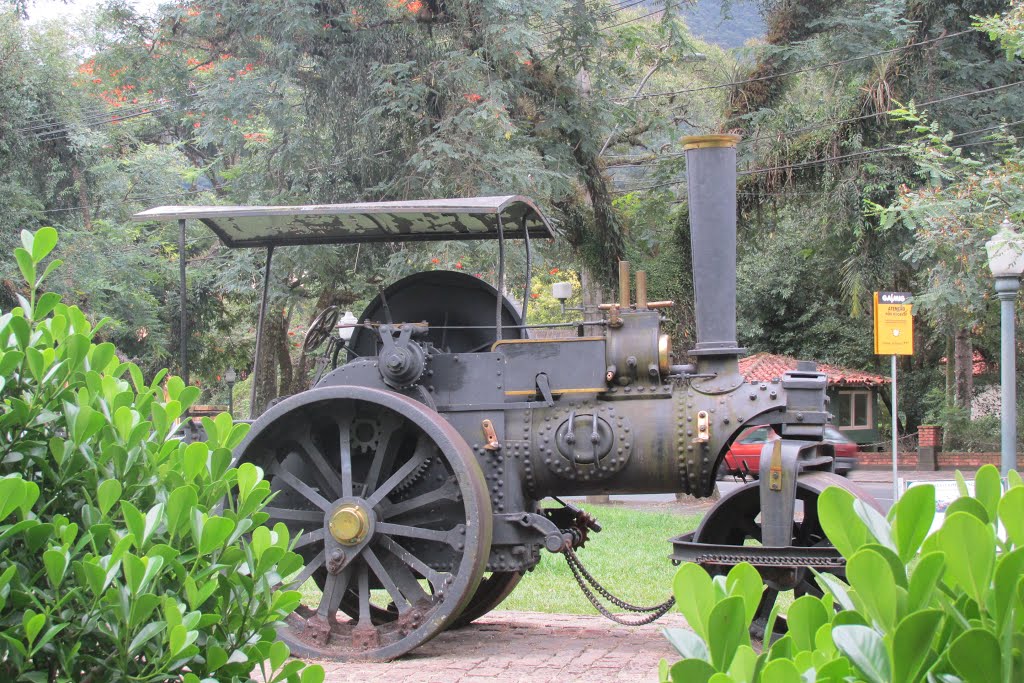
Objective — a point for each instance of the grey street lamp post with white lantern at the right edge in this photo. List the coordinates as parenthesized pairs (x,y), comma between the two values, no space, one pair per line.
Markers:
(1006,260)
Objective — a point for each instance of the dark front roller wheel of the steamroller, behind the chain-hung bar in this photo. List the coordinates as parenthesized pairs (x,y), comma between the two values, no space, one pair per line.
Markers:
(736,520)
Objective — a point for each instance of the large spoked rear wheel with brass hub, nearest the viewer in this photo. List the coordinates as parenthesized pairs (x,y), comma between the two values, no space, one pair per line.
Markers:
(394,514)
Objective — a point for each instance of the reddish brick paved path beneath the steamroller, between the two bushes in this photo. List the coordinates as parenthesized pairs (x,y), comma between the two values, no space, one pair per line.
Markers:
(532,648)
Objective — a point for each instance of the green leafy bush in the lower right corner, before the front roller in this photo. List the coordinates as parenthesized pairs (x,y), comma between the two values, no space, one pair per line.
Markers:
(946,607)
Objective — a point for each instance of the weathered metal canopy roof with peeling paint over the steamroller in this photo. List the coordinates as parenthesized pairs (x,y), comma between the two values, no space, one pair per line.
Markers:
(474,219)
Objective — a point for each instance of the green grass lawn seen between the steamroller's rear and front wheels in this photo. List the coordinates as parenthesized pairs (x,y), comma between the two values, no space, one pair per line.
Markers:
(629,558)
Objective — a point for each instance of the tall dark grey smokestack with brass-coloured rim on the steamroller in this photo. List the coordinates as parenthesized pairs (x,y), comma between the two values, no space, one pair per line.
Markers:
(711,183)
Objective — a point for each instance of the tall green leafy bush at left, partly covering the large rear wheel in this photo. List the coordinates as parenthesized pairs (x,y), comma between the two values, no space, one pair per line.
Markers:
(124,554)
